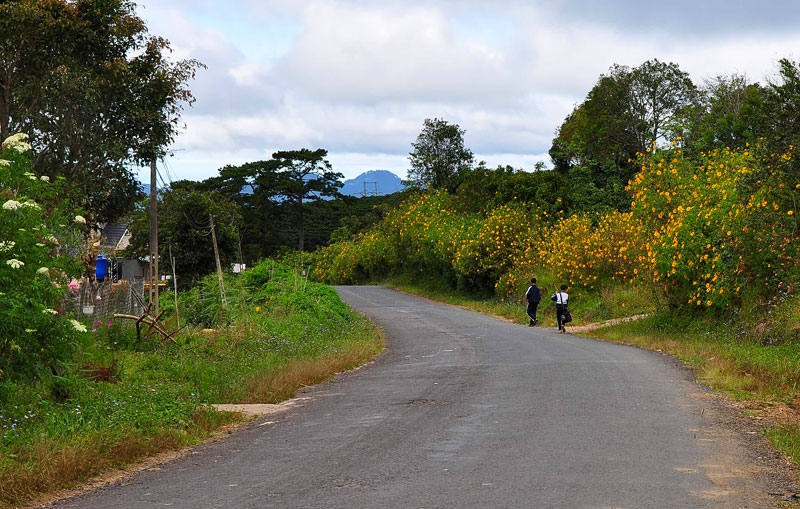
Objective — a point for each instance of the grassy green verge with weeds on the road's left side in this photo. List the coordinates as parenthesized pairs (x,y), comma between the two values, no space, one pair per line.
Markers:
(116,404)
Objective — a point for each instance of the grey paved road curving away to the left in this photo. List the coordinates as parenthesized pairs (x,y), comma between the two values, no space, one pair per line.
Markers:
(469,411)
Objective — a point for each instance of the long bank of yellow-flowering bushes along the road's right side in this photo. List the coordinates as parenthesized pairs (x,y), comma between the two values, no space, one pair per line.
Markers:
(700,231)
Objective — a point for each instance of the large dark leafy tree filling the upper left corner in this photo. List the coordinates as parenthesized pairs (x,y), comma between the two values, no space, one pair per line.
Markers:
(94,91)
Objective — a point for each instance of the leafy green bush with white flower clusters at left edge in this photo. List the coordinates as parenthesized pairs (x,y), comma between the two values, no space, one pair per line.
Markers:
(38,257)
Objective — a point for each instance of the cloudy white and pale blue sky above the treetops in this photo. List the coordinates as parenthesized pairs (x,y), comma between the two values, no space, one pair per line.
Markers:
(359,77)
